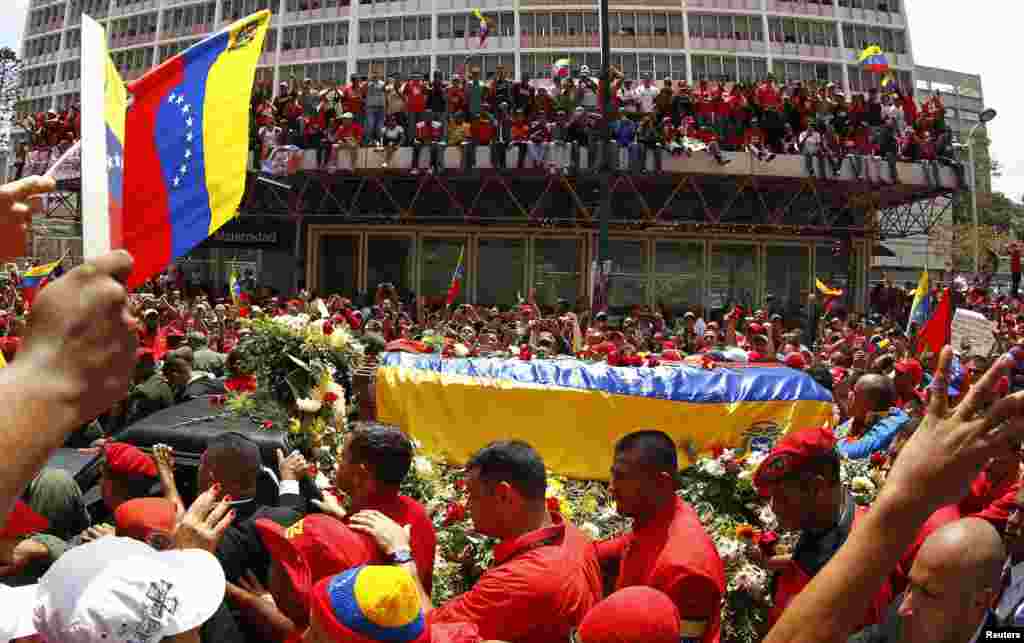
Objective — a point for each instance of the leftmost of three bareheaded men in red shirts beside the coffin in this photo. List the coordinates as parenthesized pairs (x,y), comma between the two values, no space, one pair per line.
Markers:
(374,461)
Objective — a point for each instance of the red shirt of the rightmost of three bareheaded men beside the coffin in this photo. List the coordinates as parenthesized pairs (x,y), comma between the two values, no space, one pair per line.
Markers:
(673,553)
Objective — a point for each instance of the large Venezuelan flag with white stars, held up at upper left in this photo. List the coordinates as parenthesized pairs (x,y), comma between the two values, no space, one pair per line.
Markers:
(188,143)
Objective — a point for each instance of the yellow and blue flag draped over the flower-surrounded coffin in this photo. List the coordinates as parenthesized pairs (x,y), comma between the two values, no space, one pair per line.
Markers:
(573,412)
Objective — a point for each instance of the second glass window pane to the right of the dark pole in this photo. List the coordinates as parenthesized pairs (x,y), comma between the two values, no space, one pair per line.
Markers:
(678,275)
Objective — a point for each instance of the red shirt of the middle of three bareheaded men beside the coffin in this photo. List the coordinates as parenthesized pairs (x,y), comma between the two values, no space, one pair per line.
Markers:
(540,588)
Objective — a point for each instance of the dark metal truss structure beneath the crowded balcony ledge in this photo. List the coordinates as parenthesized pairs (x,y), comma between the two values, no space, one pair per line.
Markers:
(531,198)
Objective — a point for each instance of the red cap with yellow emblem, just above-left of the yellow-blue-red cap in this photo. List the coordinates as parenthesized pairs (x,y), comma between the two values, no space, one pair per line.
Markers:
(315,548)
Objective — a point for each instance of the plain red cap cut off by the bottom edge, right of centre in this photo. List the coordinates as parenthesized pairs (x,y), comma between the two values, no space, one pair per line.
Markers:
(633,614)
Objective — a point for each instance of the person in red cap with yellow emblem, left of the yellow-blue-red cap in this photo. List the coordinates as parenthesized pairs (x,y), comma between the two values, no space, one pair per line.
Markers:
(303,555)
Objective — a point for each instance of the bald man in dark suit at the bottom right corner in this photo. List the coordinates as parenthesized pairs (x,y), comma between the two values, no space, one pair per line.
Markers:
(955,583)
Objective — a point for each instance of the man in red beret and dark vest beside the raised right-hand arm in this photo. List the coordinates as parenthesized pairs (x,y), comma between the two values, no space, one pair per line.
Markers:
(801,476)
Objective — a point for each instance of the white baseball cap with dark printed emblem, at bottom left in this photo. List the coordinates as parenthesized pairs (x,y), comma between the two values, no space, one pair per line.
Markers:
(116,590)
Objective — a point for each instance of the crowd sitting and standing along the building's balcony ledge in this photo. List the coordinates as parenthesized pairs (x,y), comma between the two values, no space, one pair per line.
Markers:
(548,121)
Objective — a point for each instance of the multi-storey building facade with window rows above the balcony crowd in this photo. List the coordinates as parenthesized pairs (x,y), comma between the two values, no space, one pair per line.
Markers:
(329,40)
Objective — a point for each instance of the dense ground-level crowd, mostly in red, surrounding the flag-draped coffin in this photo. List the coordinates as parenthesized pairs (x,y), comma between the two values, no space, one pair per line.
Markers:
(936,559)
